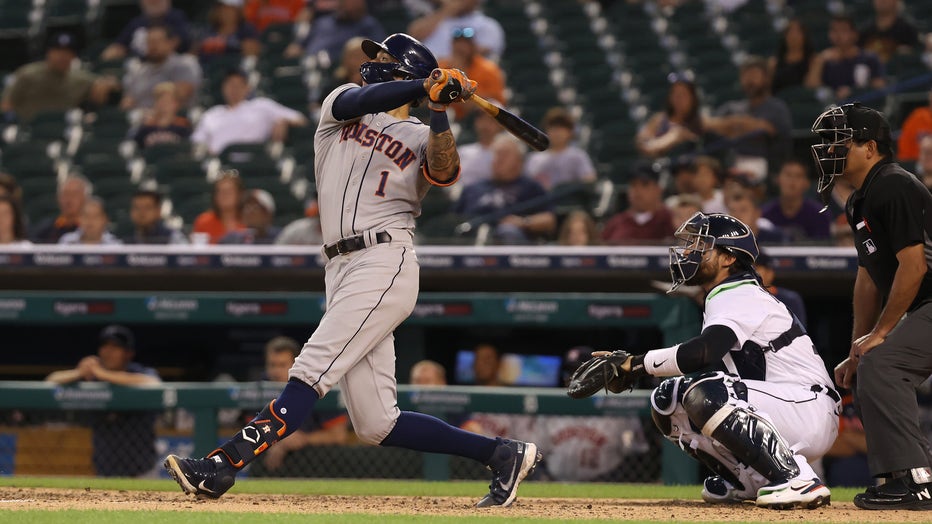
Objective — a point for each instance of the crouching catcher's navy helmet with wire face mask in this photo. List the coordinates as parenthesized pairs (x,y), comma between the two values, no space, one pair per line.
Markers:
(703,233)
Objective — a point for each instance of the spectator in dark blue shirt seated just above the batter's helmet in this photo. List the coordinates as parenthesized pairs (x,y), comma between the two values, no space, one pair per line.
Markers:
(329,33)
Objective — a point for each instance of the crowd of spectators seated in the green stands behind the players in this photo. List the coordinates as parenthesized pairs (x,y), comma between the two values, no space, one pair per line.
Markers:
(211,85)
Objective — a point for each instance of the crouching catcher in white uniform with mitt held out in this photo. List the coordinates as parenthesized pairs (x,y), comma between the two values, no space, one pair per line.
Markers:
(750,397)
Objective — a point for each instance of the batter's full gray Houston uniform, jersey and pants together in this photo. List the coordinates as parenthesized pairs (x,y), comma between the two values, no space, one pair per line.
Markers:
(369,180)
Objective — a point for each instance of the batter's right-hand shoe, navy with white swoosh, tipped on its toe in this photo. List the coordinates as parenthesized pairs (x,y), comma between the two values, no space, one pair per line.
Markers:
(511,462)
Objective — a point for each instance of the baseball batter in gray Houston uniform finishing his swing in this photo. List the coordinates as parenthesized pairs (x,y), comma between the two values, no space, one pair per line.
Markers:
(374,163)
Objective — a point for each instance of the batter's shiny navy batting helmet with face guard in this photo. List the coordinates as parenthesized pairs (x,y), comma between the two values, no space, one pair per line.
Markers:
(414,60)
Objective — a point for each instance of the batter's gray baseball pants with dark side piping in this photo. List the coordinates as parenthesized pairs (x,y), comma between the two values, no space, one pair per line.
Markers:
(369,292)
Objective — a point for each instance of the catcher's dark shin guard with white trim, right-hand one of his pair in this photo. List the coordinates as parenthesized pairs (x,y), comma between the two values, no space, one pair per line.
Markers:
(750,438)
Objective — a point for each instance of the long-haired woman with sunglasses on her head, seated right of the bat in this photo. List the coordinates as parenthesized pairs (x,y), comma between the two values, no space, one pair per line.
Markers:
(678,127)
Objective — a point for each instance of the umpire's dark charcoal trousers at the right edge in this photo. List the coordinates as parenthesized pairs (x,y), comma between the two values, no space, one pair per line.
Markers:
(887,379)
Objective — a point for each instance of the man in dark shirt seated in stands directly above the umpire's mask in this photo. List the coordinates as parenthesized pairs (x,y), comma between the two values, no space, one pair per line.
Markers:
(845,67)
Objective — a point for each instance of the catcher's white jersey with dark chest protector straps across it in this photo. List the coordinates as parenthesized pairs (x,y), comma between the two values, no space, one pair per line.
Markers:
(756,316)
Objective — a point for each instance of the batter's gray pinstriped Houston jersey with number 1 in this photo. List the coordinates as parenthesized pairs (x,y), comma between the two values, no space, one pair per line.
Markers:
(368,171)
